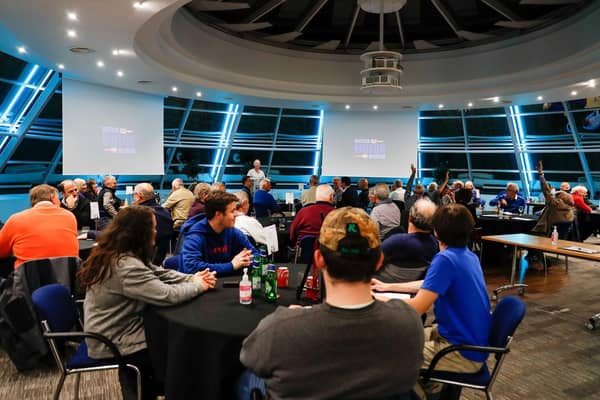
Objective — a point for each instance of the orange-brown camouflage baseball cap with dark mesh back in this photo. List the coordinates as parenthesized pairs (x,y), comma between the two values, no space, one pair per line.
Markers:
(349,232)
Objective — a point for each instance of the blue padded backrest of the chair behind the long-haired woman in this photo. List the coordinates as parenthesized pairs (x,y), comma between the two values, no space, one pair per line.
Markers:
(55,305)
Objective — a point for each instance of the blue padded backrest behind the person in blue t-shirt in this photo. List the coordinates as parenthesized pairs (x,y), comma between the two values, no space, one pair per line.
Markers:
(507,316)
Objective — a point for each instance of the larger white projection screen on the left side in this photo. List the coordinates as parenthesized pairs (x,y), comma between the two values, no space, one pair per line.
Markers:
(111,131)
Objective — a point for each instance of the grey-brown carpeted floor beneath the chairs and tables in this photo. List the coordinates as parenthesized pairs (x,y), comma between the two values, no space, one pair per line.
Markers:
(553,355)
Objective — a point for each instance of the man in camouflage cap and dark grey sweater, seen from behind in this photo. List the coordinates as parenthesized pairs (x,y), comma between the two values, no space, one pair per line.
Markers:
(352,346)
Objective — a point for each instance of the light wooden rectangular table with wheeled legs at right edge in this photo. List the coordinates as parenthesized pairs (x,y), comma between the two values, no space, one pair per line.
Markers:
(525,241)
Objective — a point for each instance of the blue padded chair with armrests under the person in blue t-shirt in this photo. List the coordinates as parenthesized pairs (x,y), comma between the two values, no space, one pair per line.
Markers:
(506,317)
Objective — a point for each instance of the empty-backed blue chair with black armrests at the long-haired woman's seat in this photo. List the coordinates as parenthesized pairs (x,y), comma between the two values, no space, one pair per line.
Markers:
(60,323)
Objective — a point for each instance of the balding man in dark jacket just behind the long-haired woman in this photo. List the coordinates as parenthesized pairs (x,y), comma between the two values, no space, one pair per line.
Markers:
(143,195)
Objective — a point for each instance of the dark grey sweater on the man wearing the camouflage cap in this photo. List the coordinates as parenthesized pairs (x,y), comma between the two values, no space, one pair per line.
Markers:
(326,352)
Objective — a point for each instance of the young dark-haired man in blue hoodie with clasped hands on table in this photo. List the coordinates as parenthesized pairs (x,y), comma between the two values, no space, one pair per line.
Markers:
(212,241)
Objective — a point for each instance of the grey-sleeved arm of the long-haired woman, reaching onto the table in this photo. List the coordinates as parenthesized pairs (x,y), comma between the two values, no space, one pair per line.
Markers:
(139,282)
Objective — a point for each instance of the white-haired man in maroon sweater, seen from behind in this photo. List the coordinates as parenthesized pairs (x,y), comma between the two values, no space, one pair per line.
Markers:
(309,219)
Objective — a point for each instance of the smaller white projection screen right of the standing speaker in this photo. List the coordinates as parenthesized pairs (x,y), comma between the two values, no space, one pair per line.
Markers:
(369,143)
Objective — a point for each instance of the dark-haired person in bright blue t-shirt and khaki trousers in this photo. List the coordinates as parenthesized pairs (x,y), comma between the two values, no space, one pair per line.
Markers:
(454,284)
